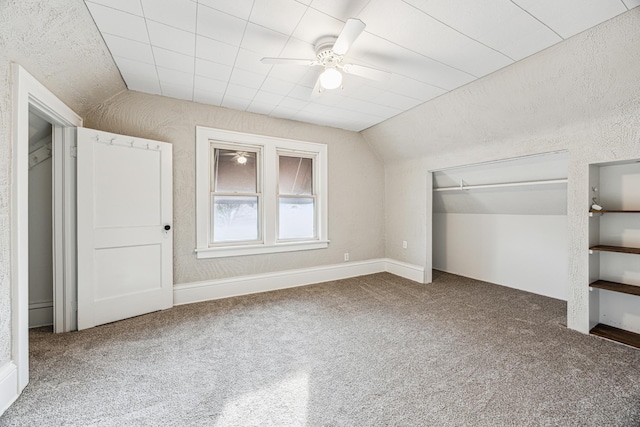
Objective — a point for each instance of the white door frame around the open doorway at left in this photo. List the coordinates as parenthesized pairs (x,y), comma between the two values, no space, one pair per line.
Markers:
(29,93)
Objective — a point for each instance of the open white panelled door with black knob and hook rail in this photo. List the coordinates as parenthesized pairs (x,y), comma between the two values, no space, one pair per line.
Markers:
(125,235)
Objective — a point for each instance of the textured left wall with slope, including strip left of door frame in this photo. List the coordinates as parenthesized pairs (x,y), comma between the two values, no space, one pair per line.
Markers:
(57,42)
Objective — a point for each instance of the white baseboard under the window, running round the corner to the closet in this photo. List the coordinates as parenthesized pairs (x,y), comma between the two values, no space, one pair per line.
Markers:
(243,285)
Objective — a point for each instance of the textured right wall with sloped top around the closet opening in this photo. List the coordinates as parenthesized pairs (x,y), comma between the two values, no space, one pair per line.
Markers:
(582,95)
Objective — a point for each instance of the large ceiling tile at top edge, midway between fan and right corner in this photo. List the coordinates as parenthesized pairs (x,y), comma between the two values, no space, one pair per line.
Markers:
(501,25)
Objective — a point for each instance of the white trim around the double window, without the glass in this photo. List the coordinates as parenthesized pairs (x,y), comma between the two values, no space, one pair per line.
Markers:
(270,147)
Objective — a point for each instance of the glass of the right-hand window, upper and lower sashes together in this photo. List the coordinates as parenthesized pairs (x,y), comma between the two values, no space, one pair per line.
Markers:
(296,199)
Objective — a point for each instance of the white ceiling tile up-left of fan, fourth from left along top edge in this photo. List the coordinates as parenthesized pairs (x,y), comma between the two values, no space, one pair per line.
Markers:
(279,15)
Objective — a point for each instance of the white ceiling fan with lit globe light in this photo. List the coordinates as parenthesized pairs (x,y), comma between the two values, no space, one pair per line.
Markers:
(330,52)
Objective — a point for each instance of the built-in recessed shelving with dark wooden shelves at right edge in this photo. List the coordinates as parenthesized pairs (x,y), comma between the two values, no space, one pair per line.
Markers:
(614,244)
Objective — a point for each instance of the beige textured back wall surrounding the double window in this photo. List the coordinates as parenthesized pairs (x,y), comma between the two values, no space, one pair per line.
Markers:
(356,181)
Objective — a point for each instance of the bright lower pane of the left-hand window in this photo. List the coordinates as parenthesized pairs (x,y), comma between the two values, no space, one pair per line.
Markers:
(235,219)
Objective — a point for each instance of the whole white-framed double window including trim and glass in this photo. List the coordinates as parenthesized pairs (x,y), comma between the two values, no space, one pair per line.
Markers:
(258,194)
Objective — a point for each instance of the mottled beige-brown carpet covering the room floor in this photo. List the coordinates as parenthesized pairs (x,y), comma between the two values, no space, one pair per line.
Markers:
(375,350)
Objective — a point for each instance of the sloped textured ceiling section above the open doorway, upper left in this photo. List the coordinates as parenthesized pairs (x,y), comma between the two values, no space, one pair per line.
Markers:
(58,43)
